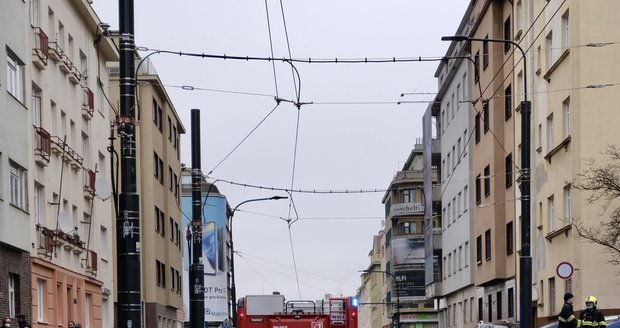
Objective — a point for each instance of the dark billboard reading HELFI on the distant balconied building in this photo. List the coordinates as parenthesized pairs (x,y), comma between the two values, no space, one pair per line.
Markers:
(408,263)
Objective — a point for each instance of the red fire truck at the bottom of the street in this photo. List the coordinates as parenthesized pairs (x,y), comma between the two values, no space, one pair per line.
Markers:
(272,311)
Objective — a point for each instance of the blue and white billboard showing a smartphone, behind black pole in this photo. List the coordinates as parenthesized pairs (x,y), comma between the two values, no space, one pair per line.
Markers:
(214,259)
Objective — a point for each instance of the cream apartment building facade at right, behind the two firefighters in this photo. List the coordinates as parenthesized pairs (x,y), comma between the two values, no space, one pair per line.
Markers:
(574,119)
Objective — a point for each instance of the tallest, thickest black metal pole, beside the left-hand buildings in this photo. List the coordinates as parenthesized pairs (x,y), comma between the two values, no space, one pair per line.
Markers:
(128,219)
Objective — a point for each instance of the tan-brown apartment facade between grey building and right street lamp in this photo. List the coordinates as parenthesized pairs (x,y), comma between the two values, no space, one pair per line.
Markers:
(493,252)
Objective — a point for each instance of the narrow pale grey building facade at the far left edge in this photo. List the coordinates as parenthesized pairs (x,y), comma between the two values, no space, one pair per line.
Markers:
(15,185)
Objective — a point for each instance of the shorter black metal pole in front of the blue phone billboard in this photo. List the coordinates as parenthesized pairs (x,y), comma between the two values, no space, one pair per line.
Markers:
(196,270)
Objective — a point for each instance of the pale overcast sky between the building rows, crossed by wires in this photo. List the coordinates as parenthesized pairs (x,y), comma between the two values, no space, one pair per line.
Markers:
(339,147)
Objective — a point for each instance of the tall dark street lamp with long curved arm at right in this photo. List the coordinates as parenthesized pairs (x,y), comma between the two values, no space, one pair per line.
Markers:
(525,258)
